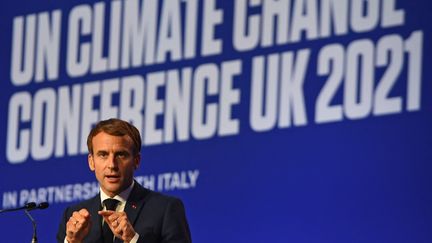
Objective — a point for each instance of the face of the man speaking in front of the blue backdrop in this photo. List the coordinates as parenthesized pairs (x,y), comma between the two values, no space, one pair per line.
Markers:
(113,162)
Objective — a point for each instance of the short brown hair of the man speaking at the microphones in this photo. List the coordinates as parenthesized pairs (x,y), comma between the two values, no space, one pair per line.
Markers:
(116,127)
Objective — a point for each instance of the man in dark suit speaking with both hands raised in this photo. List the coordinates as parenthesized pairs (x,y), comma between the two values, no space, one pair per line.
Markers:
(124,211)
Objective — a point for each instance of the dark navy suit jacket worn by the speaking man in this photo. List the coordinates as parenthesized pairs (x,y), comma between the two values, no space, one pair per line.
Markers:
(155,217)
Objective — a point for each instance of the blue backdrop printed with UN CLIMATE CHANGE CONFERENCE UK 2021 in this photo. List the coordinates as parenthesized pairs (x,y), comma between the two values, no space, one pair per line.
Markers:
(274,121)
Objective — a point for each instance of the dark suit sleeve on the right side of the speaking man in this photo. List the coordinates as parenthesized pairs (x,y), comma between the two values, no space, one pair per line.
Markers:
(175,228)
